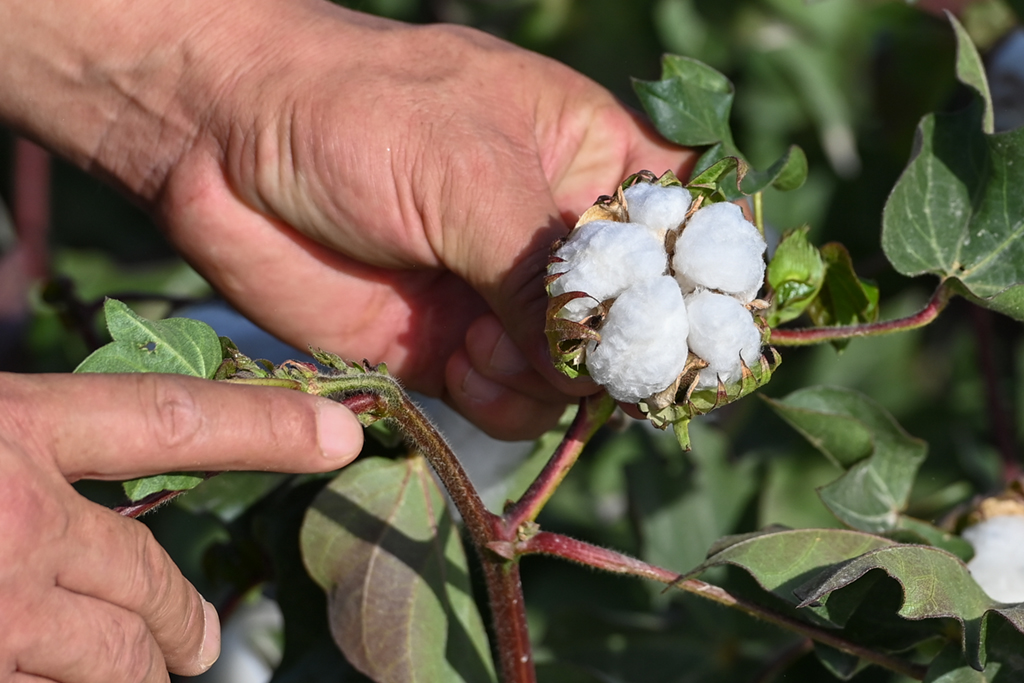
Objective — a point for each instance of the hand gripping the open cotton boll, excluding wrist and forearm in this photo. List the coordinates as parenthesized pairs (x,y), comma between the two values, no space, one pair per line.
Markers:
(425,172)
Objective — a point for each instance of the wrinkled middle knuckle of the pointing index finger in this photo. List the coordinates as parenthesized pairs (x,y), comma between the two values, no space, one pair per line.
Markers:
(175,417)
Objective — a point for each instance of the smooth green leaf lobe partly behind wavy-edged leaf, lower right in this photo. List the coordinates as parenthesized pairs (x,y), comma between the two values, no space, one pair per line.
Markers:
(783,562)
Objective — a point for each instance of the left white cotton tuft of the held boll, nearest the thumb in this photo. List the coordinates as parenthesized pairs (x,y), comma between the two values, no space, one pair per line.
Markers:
(604,259)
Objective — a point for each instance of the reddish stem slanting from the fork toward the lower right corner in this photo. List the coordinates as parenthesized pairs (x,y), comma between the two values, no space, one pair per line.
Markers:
(578,551)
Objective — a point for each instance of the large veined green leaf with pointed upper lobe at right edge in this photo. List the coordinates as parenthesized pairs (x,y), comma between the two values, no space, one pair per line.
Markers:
(958,211)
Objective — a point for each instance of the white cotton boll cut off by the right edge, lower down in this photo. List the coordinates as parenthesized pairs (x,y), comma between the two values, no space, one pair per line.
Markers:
(998,565)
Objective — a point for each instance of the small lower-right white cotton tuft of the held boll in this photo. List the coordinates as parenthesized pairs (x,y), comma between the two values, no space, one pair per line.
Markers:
(722,332)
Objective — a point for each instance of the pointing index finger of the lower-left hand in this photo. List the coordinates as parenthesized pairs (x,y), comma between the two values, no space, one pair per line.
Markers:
(126,426)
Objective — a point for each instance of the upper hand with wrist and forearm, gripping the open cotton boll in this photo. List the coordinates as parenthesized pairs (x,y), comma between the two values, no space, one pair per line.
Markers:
(381,191)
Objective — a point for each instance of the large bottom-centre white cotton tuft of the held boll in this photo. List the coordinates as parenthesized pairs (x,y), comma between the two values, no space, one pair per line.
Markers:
(644,341)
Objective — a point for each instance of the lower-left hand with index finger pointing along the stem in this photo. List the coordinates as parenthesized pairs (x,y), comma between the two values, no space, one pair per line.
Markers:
(90,596)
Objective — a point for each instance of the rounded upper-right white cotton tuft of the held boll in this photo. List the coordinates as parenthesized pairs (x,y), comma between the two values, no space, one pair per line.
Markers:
(720,250)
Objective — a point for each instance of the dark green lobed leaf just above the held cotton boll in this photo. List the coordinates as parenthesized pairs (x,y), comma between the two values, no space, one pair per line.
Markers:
(691,105)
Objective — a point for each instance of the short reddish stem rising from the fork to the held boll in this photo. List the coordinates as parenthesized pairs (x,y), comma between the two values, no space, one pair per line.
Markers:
(594,412)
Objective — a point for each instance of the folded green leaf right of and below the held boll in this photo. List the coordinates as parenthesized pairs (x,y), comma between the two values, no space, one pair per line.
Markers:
(881,459)
